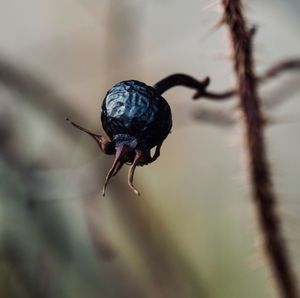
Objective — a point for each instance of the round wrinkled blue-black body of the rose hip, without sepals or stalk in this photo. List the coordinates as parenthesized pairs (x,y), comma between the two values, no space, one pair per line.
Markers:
(135,109)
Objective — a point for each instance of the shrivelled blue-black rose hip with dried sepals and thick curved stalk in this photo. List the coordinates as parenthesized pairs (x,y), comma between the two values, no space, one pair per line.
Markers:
(136,119)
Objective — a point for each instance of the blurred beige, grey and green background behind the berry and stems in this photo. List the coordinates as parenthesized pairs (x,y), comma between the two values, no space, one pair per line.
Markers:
(192,232)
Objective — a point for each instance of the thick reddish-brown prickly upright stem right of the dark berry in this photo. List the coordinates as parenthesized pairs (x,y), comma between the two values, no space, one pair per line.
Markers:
(261,181)
